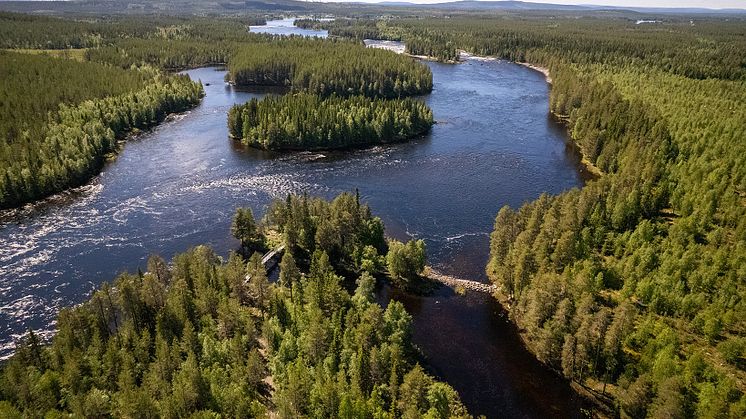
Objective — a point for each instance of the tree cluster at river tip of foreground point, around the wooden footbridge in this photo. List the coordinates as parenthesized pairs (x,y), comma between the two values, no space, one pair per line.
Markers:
(344,229)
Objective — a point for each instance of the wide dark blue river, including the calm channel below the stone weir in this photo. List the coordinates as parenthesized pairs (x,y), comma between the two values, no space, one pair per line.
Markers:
(178,185)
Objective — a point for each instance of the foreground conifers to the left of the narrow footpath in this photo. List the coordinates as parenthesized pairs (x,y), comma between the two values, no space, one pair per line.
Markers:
(150,346)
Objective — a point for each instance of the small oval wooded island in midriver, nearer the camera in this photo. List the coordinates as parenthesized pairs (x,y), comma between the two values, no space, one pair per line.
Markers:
(308,122)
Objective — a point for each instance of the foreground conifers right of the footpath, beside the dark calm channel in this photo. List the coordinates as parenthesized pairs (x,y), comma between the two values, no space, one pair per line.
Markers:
(337,356)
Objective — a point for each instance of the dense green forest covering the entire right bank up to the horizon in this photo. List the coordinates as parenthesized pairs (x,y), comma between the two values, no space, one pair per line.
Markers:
(632,286)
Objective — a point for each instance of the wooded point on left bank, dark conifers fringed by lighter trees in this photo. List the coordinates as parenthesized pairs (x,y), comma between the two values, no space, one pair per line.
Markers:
(59,126)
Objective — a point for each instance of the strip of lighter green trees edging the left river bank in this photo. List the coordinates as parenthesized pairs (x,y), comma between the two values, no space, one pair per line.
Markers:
(86,135)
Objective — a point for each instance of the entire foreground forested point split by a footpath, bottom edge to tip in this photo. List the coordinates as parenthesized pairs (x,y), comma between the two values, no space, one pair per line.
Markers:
(207,337)
